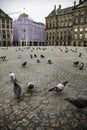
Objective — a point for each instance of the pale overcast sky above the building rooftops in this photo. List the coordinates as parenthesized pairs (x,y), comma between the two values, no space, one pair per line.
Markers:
(36,9)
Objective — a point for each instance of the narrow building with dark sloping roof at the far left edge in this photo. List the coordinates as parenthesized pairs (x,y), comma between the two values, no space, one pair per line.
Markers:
(6,30)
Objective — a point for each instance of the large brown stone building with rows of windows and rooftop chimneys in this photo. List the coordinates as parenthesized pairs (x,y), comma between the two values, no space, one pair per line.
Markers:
(67,26)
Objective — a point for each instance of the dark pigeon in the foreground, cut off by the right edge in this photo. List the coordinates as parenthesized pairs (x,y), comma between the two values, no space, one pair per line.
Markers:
(79,102)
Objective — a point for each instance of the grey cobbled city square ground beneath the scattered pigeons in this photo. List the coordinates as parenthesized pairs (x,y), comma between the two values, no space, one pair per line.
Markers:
(42,110)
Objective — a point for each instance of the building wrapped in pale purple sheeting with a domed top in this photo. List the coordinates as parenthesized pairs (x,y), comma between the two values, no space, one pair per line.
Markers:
(27,32)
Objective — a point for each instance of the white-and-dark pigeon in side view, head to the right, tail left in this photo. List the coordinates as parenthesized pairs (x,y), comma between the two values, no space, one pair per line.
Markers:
(59,88)
